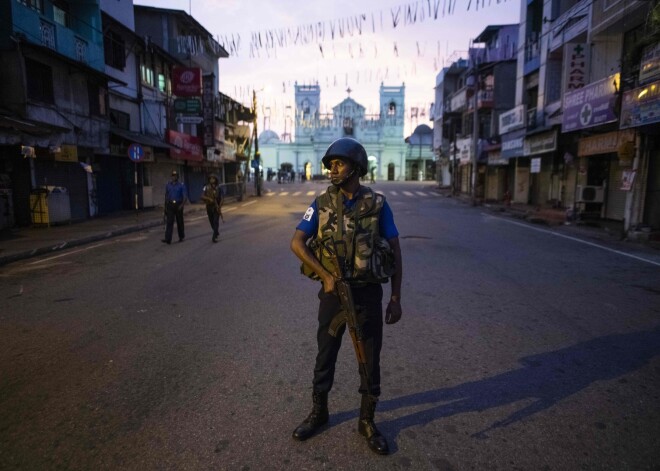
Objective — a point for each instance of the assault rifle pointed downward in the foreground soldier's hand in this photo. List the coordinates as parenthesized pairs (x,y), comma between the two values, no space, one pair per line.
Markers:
(348,313)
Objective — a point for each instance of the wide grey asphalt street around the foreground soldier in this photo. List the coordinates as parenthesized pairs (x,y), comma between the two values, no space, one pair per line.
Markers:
(520,347)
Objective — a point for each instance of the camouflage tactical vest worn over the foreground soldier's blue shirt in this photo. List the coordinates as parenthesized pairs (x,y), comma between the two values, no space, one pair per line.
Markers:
(364,255)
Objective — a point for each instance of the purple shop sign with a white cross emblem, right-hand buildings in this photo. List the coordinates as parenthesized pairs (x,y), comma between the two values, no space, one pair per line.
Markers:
(591,105)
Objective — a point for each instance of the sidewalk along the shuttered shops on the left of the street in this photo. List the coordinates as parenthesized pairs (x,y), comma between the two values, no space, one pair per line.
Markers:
(27,242)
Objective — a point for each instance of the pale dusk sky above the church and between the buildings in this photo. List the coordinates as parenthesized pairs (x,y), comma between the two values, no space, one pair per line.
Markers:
(352,44)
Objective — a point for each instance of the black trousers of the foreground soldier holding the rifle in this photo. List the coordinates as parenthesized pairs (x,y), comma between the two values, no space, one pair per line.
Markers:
(368,303)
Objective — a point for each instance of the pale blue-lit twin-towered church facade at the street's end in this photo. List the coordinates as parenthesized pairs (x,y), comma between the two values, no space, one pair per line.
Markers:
(381,134)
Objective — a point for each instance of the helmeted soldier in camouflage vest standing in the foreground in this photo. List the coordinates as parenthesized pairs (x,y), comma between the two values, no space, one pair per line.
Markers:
(364,216)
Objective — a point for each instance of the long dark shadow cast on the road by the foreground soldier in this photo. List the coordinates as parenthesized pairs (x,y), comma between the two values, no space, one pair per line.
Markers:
(545,379)
